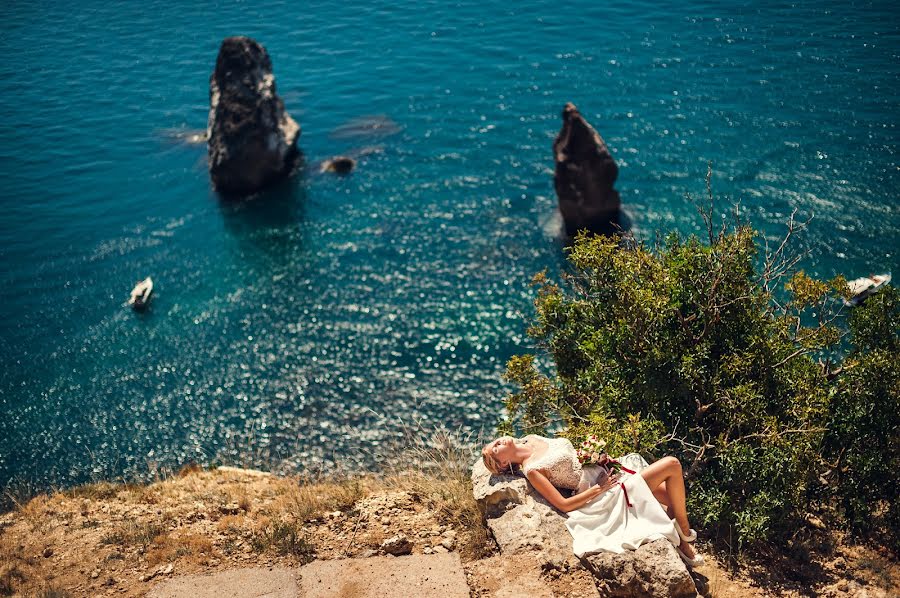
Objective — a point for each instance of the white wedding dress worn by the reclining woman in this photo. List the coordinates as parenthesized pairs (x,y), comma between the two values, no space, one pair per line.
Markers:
(622,518)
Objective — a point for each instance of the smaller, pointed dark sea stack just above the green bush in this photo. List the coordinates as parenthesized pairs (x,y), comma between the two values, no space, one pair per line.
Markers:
(584,177)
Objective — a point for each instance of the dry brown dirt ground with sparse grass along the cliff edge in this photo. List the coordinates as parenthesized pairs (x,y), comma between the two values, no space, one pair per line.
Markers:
(119,540)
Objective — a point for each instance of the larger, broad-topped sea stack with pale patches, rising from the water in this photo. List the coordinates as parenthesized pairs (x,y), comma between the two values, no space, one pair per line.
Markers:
(250,138)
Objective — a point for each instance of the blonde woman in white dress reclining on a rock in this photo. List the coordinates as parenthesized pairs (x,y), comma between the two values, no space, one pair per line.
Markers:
(619,513)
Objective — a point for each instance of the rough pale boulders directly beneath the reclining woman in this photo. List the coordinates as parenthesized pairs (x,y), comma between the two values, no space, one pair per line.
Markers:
(523,522)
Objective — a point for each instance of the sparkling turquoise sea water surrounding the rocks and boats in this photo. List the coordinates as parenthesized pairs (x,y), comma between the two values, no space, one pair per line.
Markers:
(314,324)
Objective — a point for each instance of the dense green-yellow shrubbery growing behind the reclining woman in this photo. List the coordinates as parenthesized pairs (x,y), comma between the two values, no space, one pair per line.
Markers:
(710,351)
